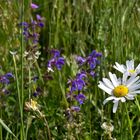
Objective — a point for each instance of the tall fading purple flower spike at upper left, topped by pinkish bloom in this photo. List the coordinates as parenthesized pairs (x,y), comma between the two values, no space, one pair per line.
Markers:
(31,32)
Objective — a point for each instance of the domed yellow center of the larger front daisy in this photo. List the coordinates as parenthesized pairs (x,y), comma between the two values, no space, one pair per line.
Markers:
(120,91)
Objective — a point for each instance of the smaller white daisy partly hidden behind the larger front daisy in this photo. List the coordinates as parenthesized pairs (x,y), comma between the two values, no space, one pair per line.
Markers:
(128,68)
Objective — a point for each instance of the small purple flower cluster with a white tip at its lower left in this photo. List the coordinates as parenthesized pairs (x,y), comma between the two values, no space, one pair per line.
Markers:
(56,60)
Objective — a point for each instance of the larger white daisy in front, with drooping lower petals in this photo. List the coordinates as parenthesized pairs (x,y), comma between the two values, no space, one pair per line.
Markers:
(120,89)
